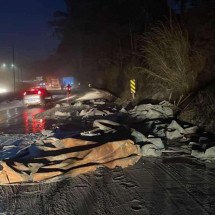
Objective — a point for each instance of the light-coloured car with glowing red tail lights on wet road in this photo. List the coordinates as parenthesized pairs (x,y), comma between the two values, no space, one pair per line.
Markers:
(36,96)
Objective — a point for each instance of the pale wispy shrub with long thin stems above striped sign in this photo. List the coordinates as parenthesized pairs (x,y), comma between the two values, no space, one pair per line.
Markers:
(171,64)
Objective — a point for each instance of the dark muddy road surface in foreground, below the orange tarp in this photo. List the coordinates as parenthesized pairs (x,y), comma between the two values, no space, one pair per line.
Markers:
(151,187)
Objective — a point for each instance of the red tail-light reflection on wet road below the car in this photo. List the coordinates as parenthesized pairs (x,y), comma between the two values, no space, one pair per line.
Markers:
(31,124)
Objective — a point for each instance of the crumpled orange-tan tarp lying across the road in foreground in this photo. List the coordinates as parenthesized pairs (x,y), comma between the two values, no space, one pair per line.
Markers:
(58,159)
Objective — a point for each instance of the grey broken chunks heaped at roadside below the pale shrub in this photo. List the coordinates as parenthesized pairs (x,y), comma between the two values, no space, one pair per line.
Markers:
(158,131)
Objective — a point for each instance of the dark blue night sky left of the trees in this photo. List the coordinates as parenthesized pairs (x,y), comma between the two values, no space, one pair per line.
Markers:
(24,23)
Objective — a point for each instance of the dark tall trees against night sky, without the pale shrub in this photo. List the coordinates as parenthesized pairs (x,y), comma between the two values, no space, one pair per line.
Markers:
(99,38)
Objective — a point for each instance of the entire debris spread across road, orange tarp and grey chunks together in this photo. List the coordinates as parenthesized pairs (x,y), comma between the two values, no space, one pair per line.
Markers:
(145,130)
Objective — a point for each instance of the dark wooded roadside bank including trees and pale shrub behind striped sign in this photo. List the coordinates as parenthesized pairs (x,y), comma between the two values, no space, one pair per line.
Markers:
(107,43)
